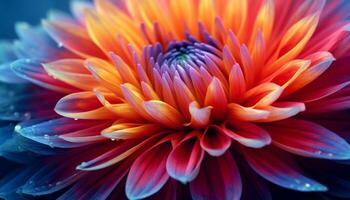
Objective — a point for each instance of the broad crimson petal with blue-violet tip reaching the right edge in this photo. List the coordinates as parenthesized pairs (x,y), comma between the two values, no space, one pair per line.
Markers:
(308,139)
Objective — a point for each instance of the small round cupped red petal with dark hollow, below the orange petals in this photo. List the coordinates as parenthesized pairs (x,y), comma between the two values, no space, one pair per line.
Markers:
(214,141)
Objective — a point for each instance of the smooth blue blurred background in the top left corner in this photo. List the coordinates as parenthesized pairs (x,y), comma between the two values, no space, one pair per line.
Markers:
(30,11)
